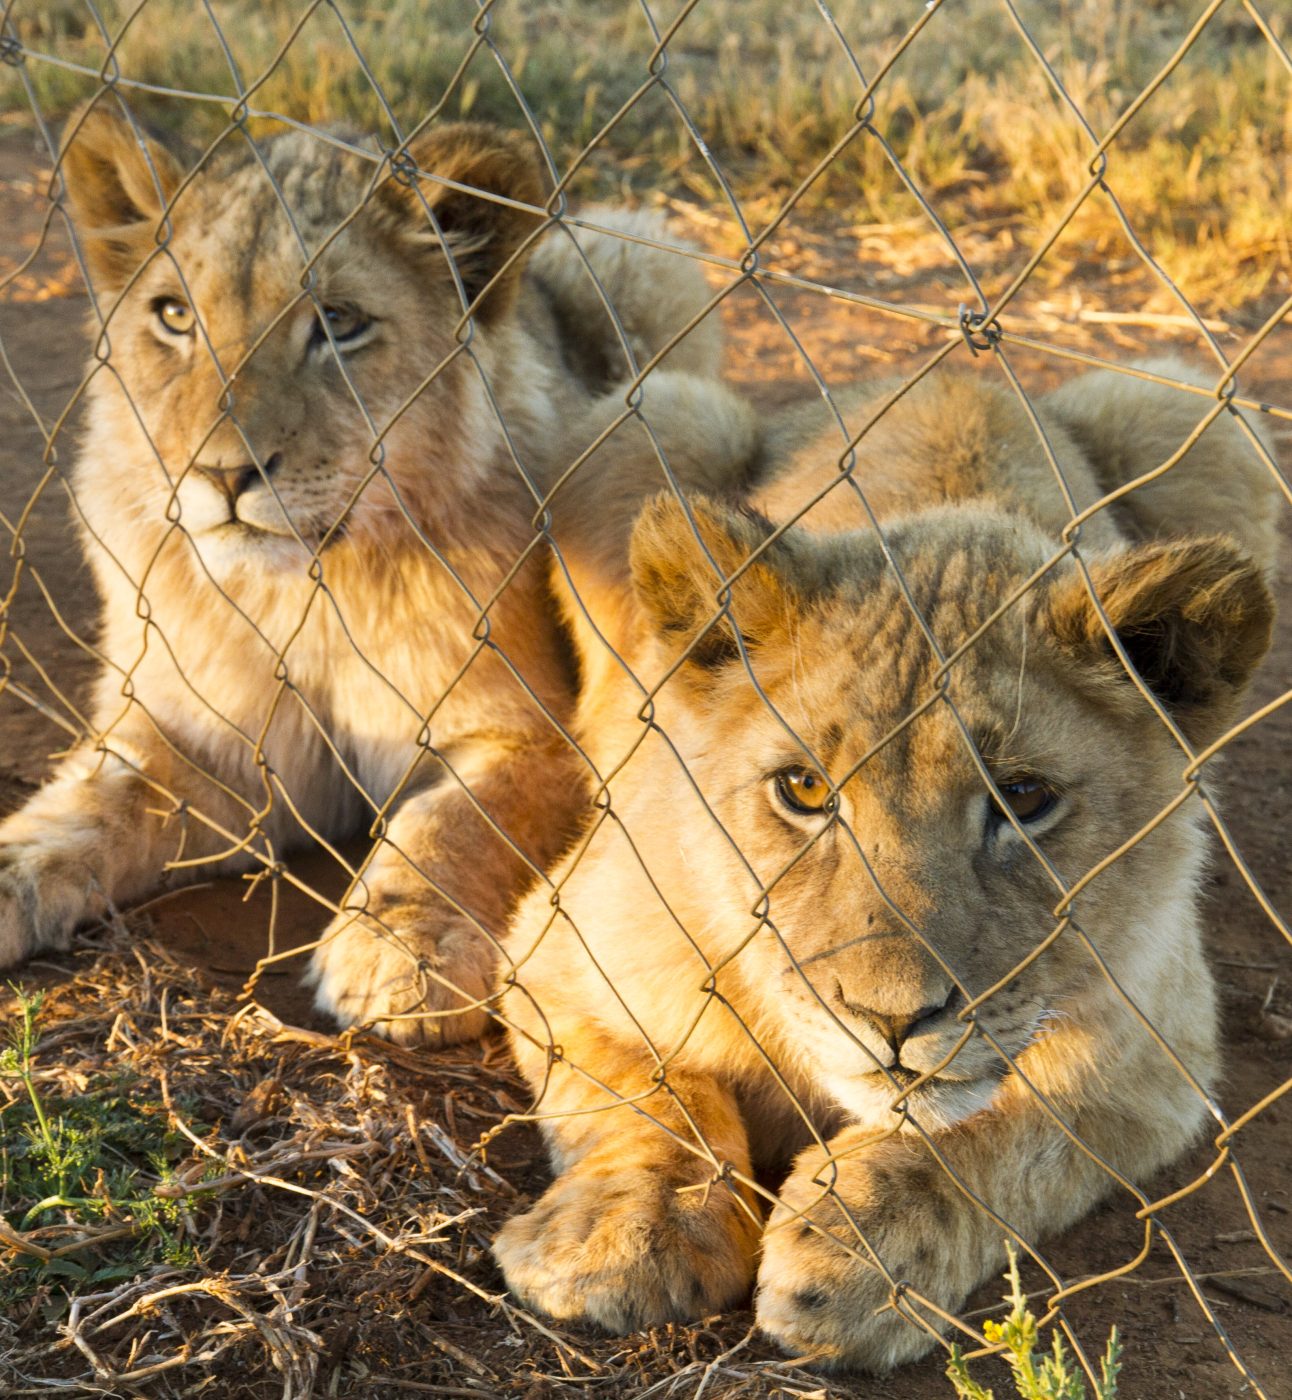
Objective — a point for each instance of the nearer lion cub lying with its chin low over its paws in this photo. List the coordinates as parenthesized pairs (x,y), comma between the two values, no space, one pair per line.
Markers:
(769,947)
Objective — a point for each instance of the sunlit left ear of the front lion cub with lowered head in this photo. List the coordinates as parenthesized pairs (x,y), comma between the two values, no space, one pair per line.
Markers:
(680,572)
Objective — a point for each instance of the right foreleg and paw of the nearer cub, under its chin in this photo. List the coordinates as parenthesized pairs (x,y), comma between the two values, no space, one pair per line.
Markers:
(873,1214)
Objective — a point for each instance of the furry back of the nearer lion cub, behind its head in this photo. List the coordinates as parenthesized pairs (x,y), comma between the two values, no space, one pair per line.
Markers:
(955,437)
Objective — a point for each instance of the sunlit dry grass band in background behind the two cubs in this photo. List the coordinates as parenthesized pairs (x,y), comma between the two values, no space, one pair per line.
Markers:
(968,110)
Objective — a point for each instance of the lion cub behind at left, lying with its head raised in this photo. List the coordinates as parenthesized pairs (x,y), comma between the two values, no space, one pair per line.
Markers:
(310,523)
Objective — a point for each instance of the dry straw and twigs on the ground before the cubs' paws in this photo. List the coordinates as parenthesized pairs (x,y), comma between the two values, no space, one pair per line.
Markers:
(327,1216)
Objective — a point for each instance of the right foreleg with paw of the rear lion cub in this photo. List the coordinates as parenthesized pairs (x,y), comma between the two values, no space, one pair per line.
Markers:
(415,953)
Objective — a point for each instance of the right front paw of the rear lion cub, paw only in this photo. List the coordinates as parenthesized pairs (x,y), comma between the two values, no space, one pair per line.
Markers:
(409,986)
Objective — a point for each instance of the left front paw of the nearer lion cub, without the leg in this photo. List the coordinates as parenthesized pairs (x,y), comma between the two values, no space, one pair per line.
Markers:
(625,1248)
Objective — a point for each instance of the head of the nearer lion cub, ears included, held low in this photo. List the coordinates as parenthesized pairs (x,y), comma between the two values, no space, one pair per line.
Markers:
(916,835)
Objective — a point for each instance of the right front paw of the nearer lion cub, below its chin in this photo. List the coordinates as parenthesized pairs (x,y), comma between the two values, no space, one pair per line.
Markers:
(824,1293)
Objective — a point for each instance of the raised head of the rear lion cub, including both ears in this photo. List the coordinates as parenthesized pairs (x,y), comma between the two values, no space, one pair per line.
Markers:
(281,355)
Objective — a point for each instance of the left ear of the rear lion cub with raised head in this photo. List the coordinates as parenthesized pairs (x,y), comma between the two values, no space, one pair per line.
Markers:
(120,183)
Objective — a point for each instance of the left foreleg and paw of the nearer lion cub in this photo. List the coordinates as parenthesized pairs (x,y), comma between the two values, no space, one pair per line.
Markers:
(638,1230)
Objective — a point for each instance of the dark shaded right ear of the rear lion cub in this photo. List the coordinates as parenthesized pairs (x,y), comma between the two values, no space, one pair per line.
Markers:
(482,236)
